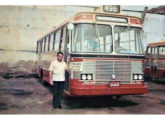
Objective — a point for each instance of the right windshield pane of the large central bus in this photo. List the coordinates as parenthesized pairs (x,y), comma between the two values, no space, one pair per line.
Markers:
(128,40)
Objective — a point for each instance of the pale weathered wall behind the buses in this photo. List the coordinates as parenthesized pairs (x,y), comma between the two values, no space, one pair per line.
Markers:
(22,26)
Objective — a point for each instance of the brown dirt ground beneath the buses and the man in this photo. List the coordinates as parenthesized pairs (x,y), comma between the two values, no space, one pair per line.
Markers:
(21,92)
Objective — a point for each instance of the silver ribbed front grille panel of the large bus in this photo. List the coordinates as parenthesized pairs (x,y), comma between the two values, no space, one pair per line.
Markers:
(103,70)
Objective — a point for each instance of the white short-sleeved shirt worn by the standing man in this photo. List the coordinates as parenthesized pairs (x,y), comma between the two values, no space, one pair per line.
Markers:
(58,69)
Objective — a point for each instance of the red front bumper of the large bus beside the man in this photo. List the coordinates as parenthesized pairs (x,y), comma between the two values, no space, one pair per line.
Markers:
(106,90)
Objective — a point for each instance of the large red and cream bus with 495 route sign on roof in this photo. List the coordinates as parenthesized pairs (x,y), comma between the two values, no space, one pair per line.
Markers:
(104,52)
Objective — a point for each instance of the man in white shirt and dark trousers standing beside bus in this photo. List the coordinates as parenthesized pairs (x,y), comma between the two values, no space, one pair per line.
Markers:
(57,72)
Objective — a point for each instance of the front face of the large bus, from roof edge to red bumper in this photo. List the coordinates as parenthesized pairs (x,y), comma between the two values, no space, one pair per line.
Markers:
(106,55)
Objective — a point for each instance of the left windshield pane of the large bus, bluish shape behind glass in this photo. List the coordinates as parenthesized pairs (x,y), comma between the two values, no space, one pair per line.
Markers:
(92,38)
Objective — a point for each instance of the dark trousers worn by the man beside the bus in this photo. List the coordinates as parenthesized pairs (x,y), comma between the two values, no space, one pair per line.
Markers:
(58,87)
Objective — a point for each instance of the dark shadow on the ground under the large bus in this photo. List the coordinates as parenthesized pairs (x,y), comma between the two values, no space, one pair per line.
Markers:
(96,102)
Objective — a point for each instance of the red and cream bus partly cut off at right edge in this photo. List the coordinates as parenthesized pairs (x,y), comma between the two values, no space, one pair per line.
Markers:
(154,67)
